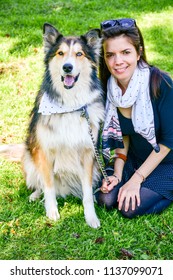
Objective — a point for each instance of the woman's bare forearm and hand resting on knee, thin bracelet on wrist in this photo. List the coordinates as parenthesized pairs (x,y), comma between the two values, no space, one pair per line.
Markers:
(130,190)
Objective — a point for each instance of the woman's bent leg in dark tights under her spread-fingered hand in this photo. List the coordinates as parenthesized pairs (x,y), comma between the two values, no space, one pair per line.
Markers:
(151,203)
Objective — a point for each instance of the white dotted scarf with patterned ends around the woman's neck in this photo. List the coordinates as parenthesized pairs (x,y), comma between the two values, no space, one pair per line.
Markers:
(137,95)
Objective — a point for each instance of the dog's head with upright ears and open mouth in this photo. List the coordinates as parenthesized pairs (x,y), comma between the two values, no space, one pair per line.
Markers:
(70,58)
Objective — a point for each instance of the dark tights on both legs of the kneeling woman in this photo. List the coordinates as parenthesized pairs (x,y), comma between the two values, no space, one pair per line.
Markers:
(151,202)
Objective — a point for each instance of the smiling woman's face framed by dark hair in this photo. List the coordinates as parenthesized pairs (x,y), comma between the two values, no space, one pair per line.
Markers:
(121,58)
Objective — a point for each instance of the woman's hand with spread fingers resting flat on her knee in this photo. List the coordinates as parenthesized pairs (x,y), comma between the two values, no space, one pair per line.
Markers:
(129,192)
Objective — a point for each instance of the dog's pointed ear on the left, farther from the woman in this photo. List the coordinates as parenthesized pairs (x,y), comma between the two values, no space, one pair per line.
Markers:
(50,36)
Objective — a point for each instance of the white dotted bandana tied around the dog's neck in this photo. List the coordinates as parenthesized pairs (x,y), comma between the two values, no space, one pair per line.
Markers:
(48,107)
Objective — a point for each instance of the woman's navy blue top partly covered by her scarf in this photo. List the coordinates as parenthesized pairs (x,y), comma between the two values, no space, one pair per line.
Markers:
(163,119)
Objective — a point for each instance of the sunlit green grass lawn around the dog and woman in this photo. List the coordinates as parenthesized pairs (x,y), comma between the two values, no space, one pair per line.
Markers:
(25,232)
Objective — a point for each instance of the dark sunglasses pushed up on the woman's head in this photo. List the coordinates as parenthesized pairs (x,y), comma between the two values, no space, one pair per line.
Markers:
(124,22)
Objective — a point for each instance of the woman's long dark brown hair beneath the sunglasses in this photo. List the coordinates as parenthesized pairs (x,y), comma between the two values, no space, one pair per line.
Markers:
(137,40)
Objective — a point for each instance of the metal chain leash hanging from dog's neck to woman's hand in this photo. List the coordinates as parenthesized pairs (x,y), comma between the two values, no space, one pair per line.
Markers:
(96,152)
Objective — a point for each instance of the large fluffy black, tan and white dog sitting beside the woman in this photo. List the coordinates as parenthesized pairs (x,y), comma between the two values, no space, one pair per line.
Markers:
(59,155)
